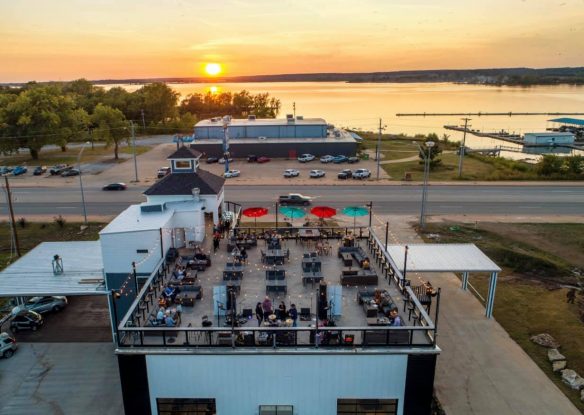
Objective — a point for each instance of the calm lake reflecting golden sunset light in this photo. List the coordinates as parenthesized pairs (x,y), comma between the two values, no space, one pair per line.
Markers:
(361,105)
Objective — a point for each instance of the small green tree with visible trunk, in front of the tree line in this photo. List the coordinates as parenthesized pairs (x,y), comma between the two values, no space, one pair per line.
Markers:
(110,125)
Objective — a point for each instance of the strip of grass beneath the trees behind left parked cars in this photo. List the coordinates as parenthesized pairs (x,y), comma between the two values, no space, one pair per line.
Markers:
(48,158)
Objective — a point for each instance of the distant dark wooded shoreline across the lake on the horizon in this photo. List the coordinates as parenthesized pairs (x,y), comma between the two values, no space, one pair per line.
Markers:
(496,77)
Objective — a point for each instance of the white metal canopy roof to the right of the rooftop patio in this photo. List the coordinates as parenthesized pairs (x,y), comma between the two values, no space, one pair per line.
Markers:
(442,258)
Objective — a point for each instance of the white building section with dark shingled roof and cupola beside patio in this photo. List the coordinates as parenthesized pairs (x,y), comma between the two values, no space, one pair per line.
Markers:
(173,216)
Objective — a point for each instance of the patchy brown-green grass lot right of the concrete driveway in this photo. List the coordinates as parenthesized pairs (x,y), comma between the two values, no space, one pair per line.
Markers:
(529,299)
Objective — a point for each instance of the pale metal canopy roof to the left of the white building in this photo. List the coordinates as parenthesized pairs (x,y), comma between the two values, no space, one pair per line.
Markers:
(33,275)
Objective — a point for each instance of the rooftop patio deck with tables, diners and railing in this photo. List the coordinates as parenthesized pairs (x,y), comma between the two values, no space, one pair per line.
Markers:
(351,318)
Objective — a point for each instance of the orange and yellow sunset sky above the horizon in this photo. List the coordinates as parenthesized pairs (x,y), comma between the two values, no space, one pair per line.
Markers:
(99,39)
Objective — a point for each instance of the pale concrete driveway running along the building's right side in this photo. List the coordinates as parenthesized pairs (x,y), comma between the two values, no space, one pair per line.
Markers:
(481,370)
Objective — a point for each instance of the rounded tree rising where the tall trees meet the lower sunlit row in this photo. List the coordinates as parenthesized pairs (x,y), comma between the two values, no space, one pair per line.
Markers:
(158,101)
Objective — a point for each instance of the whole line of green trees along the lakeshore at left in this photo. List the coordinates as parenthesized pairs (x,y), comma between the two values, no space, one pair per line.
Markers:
(35,115)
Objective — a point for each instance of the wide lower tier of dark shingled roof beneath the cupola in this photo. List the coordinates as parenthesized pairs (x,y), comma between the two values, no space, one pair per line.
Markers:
(183,184)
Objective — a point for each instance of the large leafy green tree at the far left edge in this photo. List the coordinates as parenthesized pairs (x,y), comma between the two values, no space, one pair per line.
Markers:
(42,115)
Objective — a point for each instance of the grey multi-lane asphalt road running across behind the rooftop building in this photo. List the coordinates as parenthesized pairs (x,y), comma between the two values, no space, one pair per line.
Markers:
(443,199)
